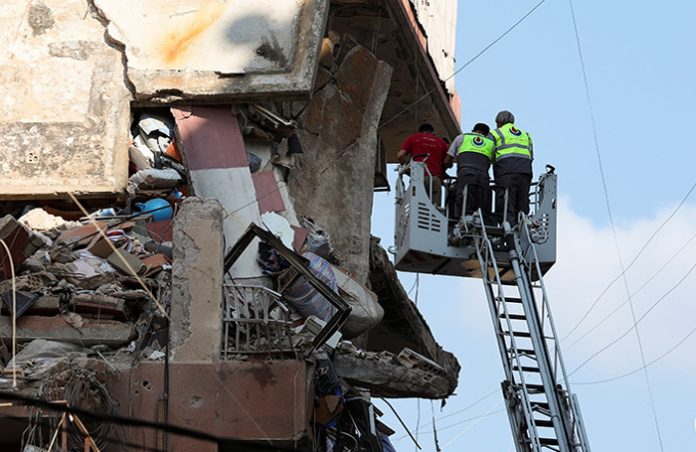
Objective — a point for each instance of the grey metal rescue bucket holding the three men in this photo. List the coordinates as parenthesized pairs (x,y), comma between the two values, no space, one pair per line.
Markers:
(423,237)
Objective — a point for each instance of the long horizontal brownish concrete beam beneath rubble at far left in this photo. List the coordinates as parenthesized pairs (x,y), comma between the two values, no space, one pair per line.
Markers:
(107,332)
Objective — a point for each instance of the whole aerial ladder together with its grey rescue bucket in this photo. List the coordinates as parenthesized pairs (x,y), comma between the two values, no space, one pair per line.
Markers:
(511,261)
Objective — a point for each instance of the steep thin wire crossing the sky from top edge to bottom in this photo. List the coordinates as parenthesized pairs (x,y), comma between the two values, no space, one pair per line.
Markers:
(611,222)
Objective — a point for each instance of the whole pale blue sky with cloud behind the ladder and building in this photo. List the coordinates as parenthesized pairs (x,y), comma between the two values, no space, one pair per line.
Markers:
(641,76)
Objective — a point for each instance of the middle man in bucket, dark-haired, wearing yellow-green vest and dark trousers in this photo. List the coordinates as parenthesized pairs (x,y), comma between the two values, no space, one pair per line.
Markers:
(474,154)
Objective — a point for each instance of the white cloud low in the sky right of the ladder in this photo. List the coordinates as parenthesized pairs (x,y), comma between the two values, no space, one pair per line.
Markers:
(587,263)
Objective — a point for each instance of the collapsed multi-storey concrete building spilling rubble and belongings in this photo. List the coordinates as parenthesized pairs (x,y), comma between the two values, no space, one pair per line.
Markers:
(187,191)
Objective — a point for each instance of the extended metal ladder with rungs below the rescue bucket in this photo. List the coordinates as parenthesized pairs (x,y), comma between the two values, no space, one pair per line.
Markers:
(544,415)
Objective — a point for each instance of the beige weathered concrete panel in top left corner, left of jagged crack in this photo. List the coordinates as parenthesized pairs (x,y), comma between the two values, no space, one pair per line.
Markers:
(65,103)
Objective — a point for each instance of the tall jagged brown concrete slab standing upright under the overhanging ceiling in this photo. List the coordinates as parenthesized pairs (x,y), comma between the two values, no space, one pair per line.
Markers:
(334,178)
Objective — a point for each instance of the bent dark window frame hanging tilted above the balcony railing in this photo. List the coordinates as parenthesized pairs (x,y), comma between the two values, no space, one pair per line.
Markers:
(300,264)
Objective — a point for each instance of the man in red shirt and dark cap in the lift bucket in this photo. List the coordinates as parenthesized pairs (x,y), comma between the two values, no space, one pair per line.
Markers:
(426,144)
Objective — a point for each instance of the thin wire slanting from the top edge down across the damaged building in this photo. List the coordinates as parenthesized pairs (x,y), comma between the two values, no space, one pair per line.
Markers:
(343,152)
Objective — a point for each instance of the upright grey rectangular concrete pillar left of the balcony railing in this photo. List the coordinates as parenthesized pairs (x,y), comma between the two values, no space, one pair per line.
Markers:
(197,278)
